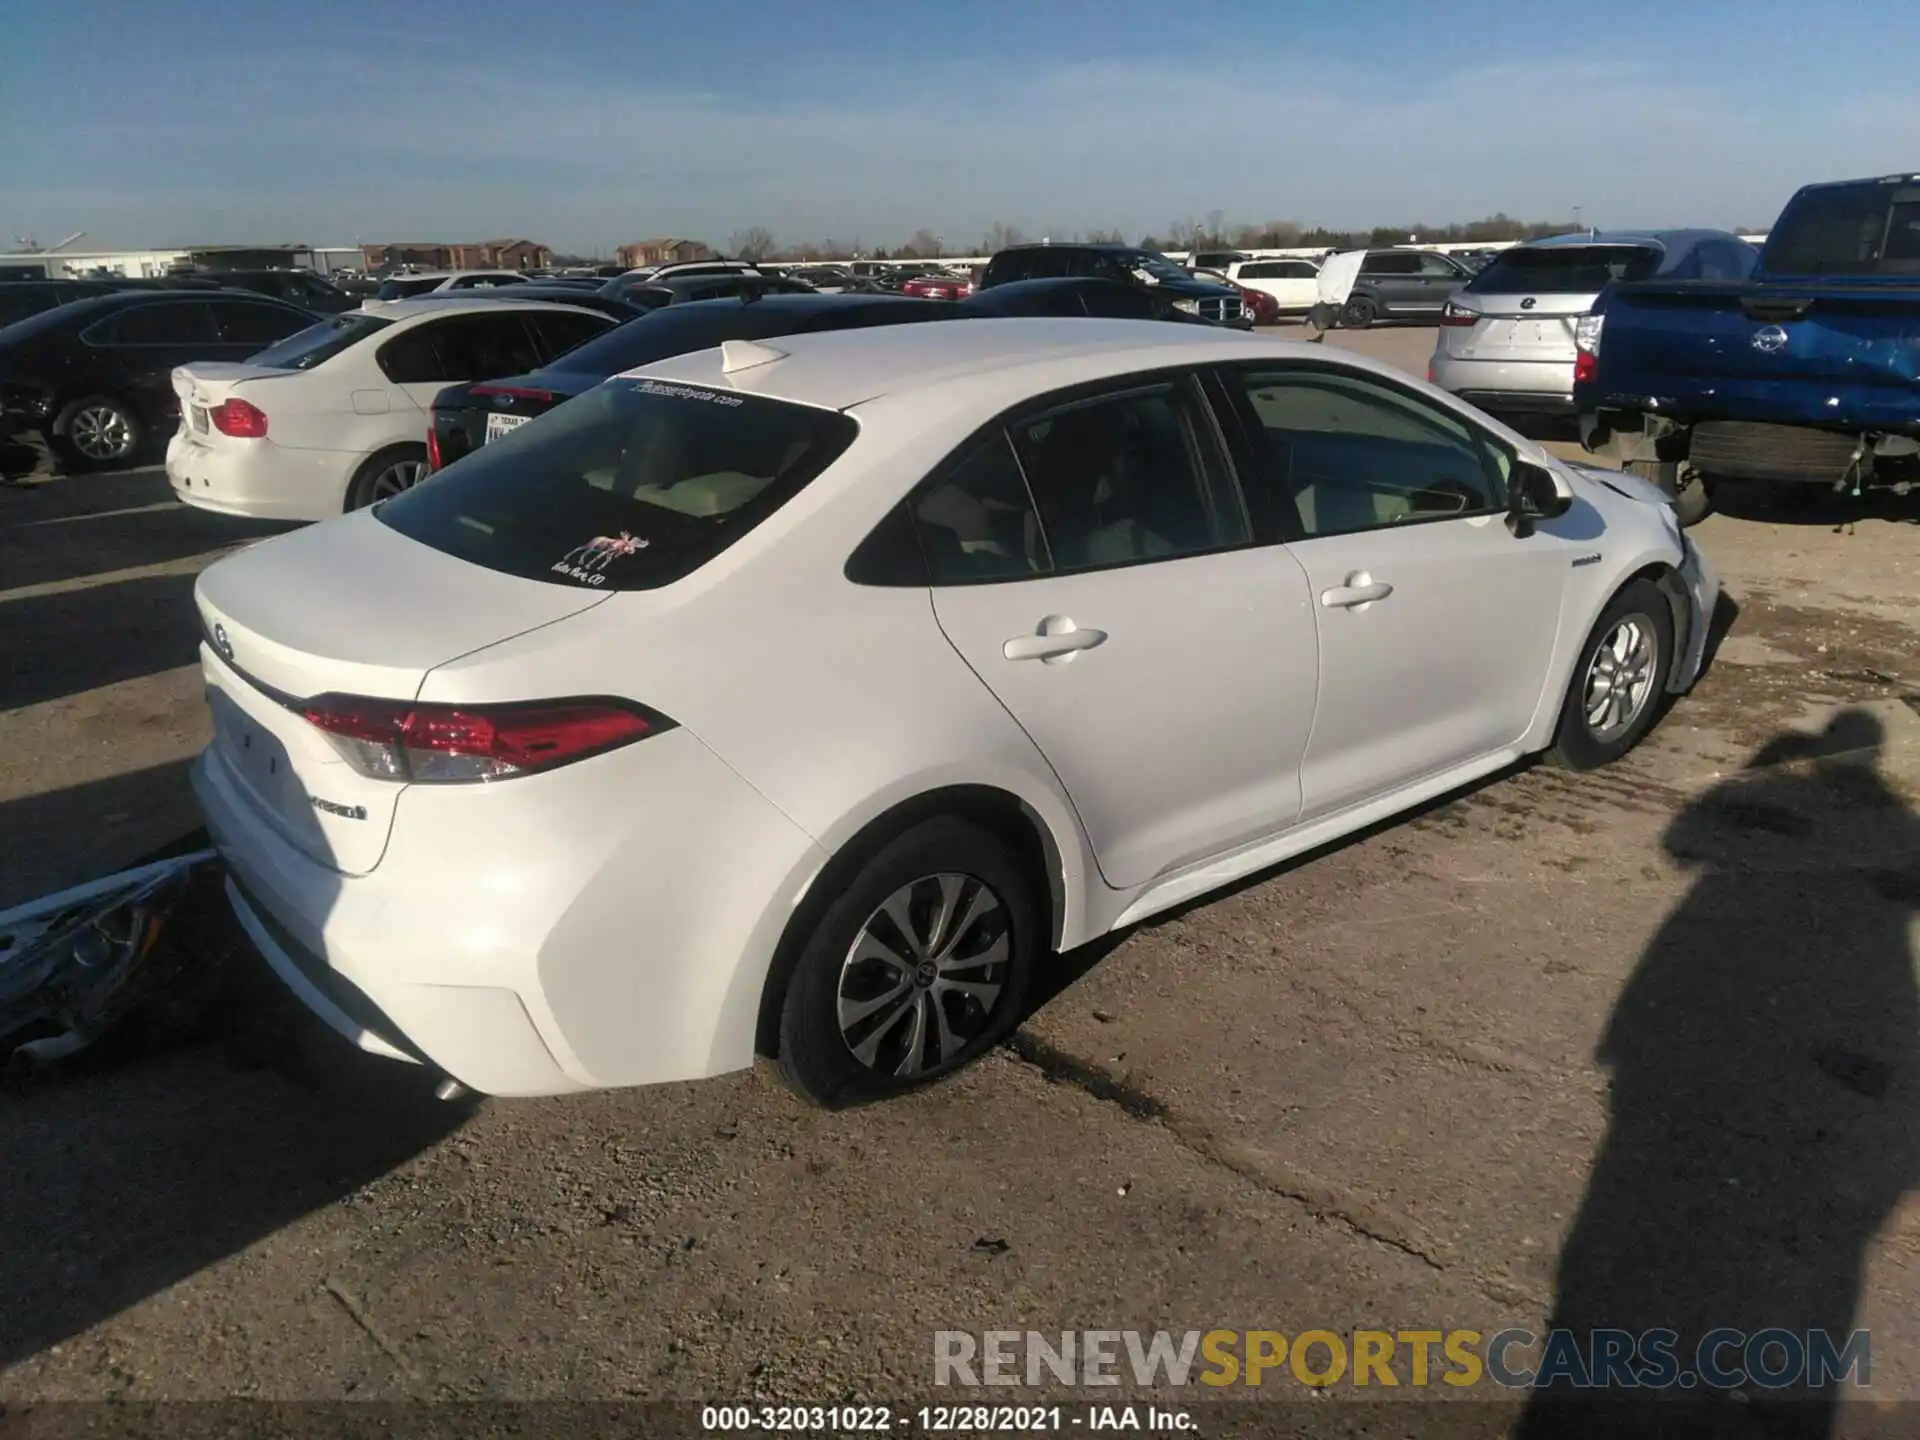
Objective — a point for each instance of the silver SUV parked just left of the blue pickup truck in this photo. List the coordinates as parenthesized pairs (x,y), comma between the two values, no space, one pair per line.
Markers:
(1506,341)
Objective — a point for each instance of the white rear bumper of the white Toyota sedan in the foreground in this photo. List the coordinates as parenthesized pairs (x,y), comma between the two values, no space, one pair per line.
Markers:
(542,936)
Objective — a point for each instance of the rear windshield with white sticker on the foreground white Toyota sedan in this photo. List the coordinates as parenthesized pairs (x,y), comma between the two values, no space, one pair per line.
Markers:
(631,487)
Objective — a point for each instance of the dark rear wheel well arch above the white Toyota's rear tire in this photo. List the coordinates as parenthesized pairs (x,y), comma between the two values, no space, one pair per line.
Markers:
(992,809)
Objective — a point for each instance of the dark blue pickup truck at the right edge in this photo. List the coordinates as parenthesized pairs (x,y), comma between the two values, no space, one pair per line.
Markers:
(1806,375)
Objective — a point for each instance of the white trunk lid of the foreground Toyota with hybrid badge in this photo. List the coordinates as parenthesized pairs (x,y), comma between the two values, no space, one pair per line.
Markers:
(343,608)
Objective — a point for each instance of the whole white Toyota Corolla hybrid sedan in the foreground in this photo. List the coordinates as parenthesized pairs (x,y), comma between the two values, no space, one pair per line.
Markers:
(804,698)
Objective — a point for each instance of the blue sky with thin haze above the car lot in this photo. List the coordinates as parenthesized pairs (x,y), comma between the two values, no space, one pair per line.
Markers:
(585,126)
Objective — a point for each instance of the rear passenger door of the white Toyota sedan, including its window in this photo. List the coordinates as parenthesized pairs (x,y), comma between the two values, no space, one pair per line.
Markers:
(1092,567)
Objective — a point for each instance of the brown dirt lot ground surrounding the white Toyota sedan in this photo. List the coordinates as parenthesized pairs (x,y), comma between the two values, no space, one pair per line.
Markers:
(1625,1049)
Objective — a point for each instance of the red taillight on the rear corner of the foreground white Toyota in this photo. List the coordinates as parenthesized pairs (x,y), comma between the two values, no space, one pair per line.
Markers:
(462,744)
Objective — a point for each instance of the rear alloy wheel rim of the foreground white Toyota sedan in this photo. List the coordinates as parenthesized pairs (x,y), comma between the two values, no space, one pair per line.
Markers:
(924,976)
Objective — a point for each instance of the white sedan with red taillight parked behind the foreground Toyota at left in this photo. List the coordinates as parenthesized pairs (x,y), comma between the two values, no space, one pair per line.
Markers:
(337,418)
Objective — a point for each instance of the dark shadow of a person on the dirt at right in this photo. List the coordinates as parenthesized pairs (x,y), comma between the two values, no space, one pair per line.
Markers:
(1764,1078)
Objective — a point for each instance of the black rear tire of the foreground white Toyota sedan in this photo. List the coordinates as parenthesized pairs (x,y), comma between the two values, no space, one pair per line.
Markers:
(819,1059)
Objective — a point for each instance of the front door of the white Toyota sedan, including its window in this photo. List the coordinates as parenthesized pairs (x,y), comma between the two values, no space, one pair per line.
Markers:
(1437,625)
